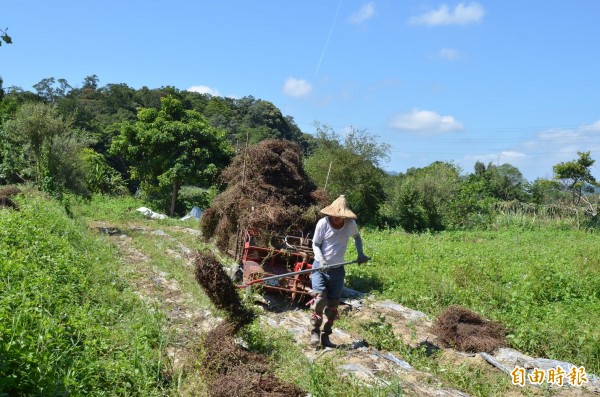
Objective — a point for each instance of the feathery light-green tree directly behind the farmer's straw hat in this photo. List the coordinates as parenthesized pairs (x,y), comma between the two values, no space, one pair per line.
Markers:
(351,167)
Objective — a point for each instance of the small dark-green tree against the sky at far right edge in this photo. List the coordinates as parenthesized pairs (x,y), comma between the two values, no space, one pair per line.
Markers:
(576,176)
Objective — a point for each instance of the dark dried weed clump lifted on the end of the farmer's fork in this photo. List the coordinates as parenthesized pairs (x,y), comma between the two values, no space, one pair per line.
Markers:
(215,282)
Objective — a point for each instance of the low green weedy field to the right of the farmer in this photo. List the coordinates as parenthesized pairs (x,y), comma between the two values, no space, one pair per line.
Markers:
(542,283)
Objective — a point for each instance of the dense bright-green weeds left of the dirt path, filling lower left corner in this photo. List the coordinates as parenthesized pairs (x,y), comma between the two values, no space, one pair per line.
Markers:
(68,324)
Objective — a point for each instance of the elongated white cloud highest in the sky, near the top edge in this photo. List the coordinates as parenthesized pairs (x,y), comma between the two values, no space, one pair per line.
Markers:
(462,14)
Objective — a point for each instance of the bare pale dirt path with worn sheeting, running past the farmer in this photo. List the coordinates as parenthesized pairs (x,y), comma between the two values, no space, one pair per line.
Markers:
(187,322)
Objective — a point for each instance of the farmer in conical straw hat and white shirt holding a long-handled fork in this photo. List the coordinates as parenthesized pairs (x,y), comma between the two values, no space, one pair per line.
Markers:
(329,245)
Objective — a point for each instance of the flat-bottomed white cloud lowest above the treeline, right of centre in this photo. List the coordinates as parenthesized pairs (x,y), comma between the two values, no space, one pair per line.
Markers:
(425,121)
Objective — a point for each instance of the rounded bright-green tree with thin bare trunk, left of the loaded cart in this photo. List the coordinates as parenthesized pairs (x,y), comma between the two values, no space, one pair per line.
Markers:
(172,147)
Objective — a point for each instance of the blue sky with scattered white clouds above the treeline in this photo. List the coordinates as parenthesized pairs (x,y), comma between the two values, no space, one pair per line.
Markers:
(496,81)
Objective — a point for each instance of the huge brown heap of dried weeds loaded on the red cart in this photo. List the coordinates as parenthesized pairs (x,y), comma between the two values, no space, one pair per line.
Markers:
(267,191)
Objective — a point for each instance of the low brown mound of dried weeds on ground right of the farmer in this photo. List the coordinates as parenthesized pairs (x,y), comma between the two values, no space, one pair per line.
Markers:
(465,330)
